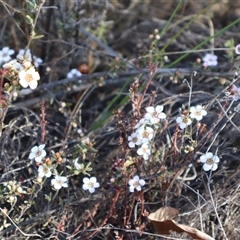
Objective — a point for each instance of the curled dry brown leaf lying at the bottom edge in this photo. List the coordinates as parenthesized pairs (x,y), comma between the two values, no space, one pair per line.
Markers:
(163,224)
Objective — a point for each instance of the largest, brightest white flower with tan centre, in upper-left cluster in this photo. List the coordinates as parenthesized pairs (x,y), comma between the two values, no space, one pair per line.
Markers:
(29,78)
